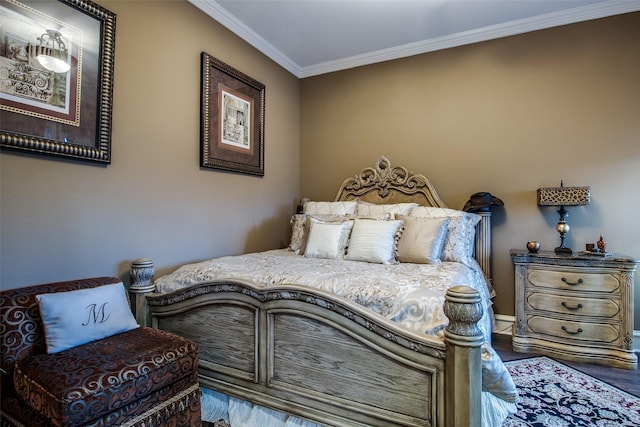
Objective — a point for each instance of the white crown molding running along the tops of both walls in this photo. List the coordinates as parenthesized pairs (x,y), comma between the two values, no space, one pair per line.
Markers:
(565,17)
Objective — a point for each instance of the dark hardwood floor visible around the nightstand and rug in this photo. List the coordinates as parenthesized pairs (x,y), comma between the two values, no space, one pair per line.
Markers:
(624,379)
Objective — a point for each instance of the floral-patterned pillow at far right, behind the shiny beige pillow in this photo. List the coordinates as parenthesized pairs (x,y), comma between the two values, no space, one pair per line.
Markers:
(459,243)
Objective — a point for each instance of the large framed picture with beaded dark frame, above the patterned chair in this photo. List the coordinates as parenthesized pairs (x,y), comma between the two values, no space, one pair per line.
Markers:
(56,78)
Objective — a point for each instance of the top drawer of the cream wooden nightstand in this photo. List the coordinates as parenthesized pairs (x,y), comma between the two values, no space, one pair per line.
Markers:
(574,279)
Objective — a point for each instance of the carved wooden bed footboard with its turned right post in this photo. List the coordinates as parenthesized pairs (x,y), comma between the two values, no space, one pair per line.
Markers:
(325,358)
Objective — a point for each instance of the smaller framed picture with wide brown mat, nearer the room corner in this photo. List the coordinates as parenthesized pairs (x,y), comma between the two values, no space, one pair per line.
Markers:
(232,123)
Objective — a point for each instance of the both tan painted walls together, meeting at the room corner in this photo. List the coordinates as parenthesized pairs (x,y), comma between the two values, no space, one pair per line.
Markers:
(505,116)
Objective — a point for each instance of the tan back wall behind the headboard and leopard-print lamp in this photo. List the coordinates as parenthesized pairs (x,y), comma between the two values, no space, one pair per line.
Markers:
(505,116)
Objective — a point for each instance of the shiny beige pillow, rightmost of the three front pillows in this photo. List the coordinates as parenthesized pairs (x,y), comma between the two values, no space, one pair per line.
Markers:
(422,240)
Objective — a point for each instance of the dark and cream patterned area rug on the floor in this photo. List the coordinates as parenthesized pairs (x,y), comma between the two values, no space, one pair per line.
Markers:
(553,394)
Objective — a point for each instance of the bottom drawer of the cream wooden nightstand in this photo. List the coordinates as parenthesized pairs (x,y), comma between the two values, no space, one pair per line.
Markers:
(581,331)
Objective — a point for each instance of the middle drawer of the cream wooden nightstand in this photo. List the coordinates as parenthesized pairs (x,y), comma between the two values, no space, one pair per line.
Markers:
(577,306)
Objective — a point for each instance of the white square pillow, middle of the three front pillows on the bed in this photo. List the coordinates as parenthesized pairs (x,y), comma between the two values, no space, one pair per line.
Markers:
(373,241)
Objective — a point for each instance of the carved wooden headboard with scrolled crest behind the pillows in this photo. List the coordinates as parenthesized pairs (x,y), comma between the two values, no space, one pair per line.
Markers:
(384,183)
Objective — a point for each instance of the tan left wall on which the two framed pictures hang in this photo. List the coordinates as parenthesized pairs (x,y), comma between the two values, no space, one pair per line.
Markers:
(63,220)
